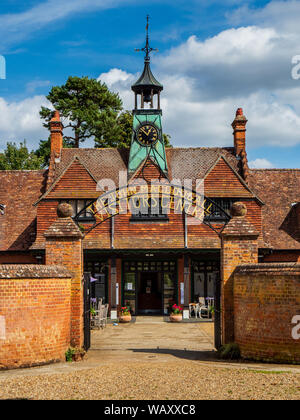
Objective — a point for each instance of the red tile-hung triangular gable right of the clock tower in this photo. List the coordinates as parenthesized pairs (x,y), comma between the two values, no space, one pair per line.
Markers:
(222,181)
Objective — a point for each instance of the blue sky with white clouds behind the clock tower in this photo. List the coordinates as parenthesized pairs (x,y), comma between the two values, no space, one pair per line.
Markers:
(215,56)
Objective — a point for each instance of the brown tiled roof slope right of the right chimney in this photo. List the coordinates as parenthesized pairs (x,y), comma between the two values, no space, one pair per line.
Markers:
(279,189)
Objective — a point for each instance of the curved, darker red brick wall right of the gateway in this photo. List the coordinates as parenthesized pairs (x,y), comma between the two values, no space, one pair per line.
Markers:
(266,298)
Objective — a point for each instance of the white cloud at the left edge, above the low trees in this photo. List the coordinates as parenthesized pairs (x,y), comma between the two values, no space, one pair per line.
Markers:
(21,120)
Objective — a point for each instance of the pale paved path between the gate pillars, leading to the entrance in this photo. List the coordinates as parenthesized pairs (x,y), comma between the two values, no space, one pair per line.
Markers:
(151,338)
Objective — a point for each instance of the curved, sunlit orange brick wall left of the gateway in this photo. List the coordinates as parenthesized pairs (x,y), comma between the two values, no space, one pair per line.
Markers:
(35,307)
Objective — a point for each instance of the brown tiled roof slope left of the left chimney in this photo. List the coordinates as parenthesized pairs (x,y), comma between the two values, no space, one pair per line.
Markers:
(18,191)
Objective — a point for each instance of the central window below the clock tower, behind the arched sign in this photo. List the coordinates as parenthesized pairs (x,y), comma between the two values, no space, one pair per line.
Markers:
(150,209)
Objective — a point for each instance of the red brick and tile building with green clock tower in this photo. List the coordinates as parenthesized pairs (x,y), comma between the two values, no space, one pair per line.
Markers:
(142,258)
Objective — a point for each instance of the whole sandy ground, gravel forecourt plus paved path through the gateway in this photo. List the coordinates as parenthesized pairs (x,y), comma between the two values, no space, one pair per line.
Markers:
(152,359)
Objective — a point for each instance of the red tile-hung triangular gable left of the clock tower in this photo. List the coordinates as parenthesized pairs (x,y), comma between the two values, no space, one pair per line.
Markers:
(75,182)
